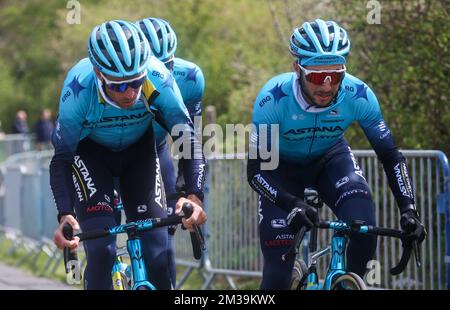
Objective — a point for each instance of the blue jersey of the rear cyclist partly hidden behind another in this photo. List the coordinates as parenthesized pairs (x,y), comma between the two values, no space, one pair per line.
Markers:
(190,81)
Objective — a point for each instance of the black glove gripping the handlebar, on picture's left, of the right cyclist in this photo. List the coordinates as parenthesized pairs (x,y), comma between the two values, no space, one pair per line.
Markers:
(302,215)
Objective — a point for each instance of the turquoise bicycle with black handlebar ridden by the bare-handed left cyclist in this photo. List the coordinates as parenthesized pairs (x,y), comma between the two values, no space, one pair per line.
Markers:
(139,274)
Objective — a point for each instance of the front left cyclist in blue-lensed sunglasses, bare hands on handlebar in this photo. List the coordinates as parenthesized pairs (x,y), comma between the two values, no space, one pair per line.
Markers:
(104,130)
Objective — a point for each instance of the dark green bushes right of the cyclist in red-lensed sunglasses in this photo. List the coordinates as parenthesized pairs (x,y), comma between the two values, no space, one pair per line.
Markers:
(406,61)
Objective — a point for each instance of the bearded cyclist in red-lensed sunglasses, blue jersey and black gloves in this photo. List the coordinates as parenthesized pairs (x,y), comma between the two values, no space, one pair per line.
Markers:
(313,107)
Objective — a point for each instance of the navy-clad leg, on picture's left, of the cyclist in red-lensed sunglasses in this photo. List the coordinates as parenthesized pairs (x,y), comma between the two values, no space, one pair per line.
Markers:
(275,236)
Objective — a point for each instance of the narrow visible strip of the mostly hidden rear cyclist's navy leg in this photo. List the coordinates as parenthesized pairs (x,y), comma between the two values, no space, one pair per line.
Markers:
(168,175)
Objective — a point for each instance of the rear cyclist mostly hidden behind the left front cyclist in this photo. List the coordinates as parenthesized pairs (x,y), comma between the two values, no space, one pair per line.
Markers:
(190,80)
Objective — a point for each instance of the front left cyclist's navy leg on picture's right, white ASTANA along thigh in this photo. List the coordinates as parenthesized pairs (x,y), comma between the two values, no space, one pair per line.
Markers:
(142,197)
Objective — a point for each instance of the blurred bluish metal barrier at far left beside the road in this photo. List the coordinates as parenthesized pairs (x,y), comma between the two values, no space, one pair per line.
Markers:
(27,212)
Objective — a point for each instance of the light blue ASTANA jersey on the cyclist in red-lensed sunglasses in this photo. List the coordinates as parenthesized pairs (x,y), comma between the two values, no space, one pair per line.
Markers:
(307,132)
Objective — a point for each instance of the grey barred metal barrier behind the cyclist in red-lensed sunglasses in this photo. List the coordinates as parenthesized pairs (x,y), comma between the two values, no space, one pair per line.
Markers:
(233,240)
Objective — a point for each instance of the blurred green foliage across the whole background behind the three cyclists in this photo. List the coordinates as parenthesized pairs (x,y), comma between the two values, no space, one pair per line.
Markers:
(240,44)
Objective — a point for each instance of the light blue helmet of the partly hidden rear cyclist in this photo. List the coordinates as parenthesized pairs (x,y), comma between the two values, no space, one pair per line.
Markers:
(162,38)
